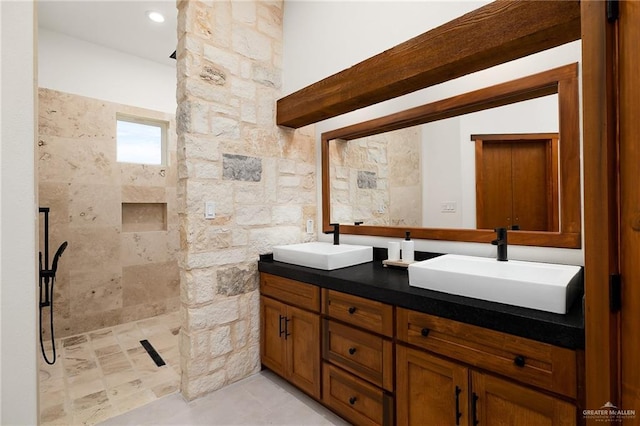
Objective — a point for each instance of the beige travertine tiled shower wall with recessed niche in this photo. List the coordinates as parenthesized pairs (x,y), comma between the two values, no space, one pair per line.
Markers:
(109,274)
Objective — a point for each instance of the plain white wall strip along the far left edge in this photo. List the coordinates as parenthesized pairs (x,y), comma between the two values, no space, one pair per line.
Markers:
(18,212)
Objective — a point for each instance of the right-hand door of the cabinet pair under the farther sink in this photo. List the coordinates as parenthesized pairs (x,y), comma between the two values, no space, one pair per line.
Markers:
(303,350)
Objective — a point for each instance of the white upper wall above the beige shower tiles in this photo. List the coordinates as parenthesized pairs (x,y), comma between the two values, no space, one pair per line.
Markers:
(75,66)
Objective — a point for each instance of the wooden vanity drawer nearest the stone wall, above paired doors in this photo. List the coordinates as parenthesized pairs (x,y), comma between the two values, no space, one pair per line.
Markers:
(306,296)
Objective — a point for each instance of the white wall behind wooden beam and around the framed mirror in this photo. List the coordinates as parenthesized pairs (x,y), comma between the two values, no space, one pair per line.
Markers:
(325,37)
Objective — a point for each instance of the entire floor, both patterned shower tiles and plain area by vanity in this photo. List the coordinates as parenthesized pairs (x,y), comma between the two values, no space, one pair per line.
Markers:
(106,376)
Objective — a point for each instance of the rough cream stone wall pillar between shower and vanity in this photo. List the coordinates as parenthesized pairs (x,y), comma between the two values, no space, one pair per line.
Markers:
(261,178)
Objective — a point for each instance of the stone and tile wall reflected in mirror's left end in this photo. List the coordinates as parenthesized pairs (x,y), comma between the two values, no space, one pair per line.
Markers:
(377,179)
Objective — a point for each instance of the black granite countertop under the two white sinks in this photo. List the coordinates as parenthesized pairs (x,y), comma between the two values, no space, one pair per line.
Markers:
(390,285)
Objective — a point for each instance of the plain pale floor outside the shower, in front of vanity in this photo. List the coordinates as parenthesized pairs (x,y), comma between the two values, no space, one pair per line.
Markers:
(262,399)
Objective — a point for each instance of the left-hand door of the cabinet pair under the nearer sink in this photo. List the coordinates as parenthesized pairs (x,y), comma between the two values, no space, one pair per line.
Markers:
(430,390)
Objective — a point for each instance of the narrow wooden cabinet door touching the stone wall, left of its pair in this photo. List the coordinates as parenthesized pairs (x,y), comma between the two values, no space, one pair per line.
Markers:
(272,345)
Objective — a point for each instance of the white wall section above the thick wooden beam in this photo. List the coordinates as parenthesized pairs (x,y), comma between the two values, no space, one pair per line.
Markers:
(323,37)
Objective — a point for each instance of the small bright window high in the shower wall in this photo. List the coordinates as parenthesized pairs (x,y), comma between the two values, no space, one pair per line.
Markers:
(141,141)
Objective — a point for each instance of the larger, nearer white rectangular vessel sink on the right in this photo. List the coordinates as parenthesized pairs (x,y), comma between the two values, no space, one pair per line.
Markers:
(543,286)
